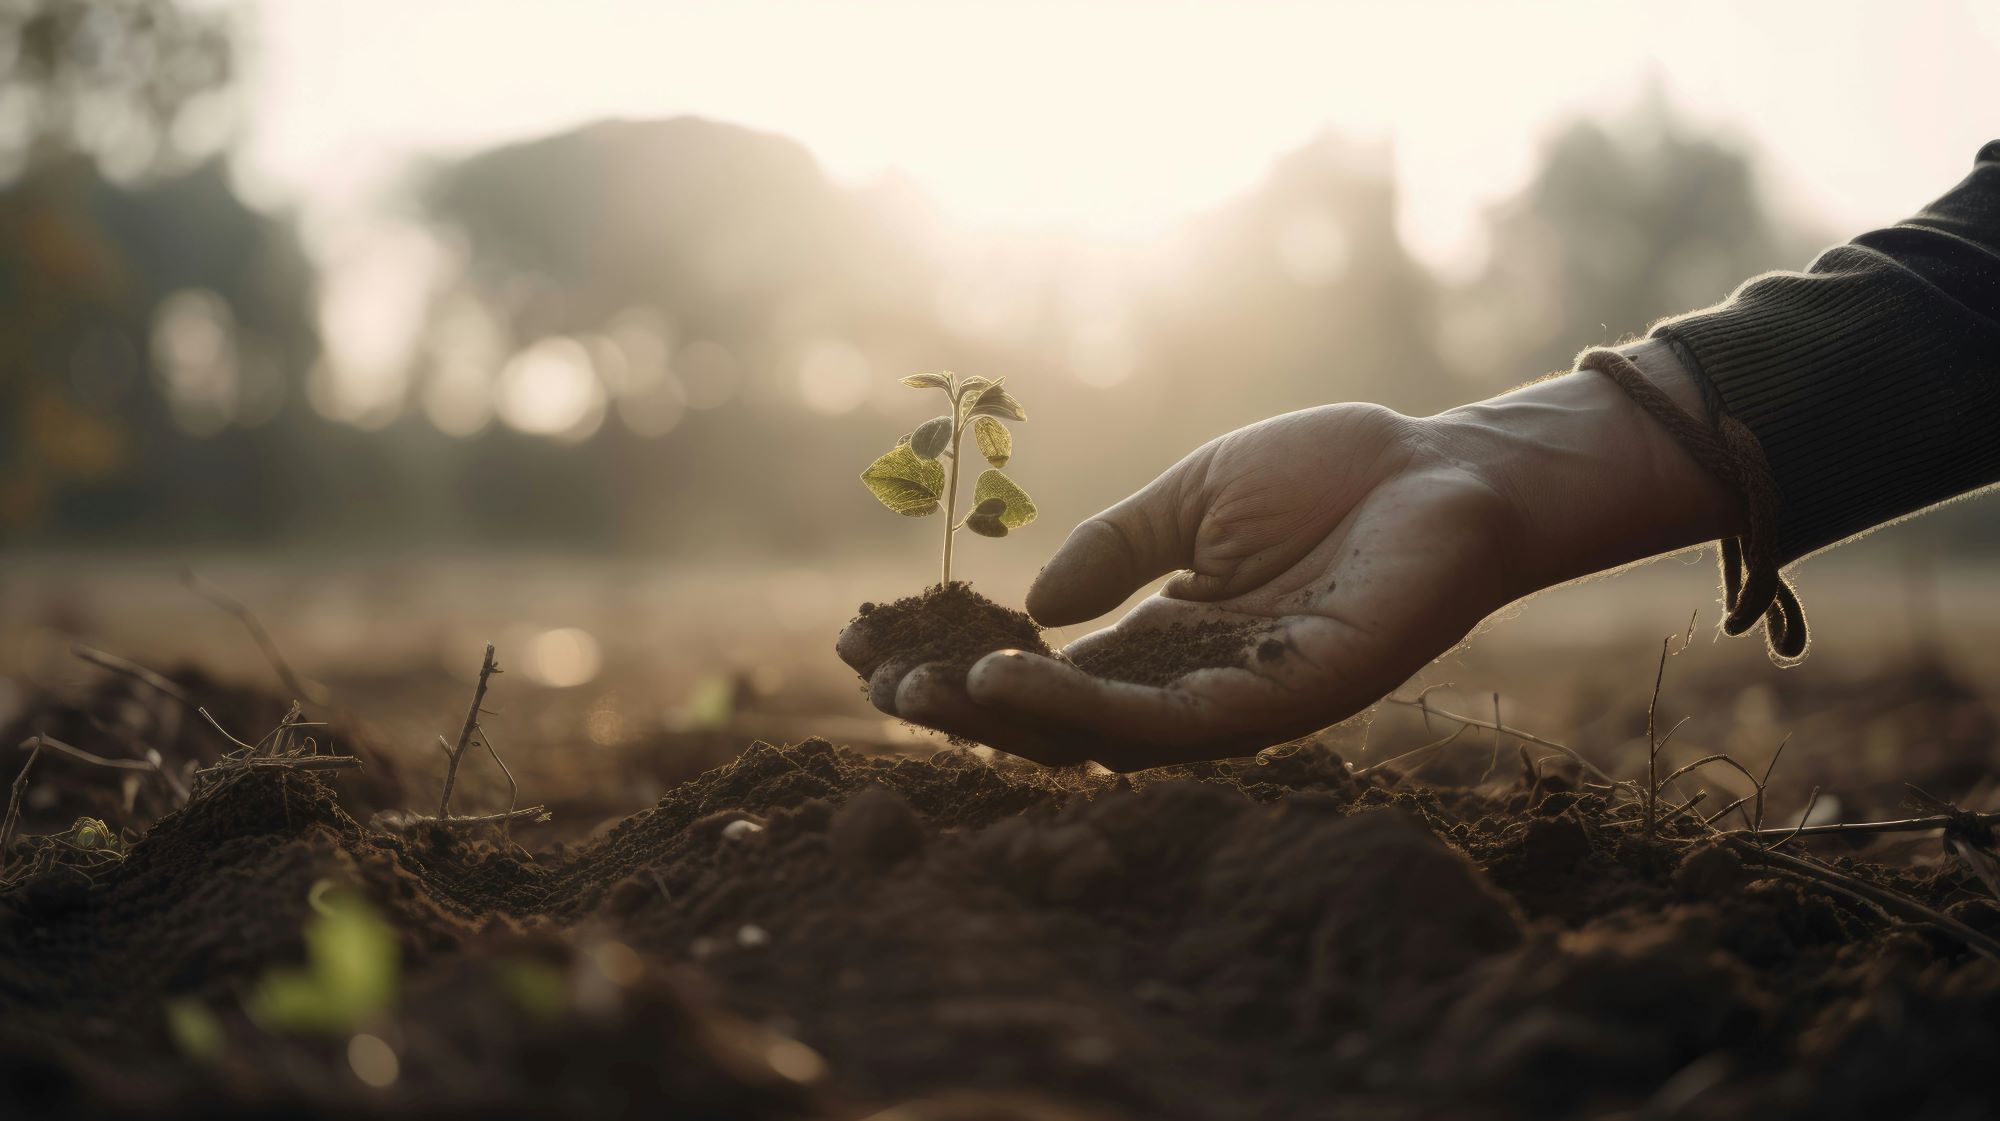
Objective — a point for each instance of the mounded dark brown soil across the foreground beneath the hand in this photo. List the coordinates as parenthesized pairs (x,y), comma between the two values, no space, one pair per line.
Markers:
(813,934)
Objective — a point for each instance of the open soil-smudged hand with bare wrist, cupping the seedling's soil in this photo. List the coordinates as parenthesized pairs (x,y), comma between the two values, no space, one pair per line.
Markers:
(1363,541)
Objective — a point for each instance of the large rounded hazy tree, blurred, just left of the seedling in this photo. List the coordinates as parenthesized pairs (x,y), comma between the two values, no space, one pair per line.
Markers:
(719,287)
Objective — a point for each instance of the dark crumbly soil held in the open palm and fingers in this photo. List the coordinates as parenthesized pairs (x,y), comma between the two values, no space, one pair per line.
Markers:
(955,628)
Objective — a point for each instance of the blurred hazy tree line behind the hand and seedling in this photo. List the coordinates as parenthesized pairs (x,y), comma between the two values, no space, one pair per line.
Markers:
(669,335)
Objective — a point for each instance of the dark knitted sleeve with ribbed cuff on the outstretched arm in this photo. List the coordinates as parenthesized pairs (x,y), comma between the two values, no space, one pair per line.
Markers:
(1873,379)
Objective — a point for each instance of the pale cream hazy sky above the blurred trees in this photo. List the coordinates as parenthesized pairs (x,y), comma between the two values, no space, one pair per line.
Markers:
(1119,117)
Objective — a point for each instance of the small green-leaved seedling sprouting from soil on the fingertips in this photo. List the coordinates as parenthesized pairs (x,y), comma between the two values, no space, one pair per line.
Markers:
(915,483)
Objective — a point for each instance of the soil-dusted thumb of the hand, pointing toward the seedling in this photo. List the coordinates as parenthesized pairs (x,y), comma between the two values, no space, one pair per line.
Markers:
(1115,553)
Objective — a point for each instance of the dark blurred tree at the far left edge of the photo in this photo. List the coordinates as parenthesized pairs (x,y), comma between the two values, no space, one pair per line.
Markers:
(149,319)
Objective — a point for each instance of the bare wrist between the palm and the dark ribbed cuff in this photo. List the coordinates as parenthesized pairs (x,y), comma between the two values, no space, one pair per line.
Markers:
(1587,477)
